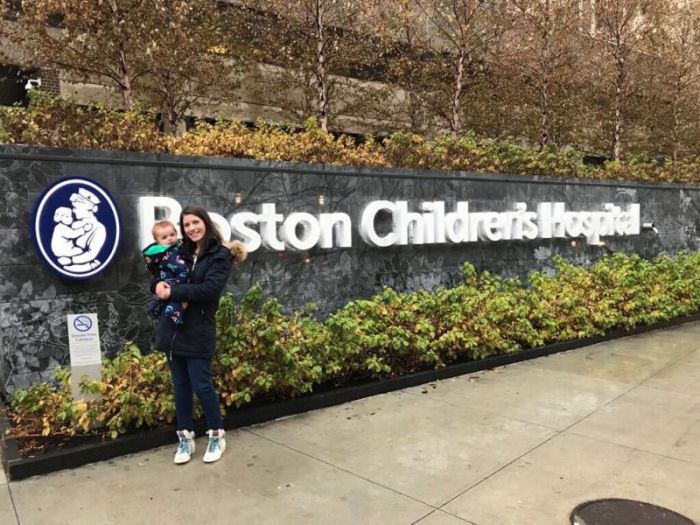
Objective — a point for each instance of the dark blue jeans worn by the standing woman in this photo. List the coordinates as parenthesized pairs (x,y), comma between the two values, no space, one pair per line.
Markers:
(192,374)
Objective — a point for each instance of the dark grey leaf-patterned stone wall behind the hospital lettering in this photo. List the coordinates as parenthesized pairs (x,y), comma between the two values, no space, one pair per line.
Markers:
(34,301)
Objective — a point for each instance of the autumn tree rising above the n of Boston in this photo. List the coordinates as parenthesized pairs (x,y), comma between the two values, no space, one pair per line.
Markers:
(311,49)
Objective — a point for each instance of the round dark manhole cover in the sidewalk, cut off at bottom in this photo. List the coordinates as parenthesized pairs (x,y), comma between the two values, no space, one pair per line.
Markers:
(625,512)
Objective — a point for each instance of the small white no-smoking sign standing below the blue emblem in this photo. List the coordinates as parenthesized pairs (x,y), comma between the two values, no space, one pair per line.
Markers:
(85,350)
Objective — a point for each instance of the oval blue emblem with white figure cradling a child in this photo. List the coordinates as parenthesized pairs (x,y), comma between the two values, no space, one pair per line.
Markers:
(76,228)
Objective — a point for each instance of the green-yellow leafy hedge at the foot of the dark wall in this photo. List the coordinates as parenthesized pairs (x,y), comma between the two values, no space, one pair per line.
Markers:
(266,354)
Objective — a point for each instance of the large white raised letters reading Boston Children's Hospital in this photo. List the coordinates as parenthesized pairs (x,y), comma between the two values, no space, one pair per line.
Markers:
(385,223)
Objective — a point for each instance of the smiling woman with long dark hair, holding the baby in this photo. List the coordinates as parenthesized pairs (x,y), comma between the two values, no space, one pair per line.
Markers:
(190,346)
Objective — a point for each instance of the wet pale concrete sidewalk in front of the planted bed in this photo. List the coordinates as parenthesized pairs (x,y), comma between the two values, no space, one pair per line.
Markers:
(523,444)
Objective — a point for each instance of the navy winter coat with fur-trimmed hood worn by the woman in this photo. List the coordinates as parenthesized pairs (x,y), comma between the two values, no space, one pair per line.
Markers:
(196,336)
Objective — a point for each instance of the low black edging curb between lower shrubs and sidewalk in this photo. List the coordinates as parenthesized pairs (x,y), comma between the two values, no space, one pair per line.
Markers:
(17,467)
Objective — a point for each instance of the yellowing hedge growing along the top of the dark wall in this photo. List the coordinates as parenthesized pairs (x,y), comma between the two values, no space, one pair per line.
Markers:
(54,122)
